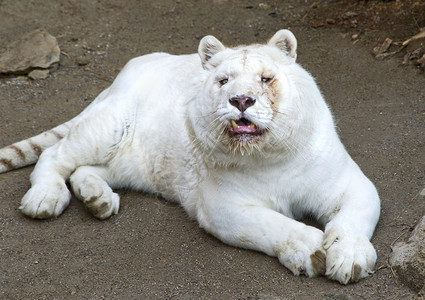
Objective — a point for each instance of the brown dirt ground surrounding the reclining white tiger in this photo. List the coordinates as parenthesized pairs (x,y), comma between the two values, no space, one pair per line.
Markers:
(151,250)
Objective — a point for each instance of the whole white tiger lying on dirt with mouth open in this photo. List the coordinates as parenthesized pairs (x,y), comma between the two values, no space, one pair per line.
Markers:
(240,137)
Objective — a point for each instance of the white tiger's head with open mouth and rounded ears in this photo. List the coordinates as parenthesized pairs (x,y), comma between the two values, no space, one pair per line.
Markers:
(253,99)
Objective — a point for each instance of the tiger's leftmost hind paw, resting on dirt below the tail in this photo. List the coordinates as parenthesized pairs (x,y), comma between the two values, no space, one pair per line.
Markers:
(44,201)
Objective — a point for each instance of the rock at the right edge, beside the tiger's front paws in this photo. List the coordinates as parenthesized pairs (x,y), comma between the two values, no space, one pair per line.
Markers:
(408,259)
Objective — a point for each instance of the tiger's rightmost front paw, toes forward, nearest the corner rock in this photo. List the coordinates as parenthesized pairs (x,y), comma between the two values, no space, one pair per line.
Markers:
(348,258)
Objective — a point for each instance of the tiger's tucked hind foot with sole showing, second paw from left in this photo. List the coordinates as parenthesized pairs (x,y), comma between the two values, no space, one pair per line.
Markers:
(89,184)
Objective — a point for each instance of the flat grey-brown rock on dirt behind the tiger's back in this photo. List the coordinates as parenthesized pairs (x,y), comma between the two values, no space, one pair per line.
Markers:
(37,49)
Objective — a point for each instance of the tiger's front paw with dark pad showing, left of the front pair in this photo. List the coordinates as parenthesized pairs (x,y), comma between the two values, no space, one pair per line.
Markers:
(304,255)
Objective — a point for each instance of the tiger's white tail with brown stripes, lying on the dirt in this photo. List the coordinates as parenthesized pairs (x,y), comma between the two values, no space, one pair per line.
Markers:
(26,152)
